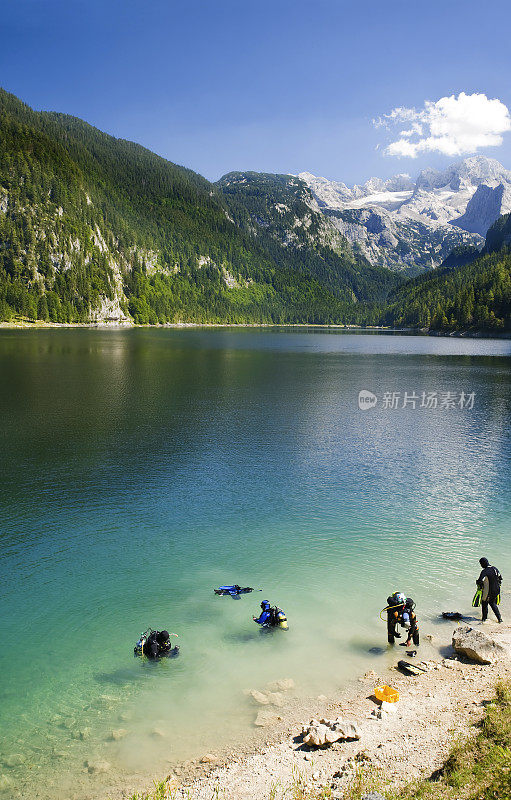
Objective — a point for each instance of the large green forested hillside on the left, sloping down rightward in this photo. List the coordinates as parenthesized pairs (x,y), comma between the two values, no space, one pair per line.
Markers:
(93,227)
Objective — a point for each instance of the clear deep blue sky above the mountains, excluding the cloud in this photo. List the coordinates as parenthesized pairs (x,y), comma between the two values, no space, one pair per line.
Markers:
(274,86)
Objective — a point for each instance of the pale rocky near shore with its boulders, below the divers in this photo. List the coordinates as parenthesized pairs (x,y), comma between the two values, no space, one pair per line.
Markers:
(390,745)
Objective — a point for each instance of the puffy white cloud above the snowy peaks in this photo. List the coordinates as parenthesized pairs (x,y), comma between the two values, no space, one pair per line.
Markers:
(453,126)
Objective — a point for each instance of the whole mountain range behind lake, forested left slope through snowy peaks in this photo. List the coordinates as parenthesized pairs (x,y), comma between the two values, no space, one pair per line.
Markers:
(99,229)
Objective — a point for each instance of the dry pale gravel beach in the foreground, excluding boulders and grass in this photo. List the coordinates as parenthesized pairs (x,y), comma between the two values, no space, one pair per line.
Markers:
(433,711)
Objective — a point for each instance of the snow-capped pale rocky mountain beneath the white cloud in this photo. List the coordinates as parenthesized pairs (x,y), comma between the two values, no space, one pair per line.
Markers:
(399,222)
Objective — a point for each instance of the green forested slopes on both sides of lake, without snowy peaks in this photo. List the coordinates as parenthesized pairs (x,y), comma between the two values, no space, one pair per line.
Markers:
(94,228)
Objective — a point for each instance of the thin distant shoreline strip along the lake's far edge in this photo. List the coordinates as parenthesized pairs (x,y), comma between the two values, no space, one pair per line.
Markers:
(111,325)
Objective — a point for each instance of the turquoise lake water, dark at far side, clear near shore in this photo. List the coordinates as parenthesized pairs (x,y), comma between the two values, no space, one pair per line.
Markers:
(142,468)
